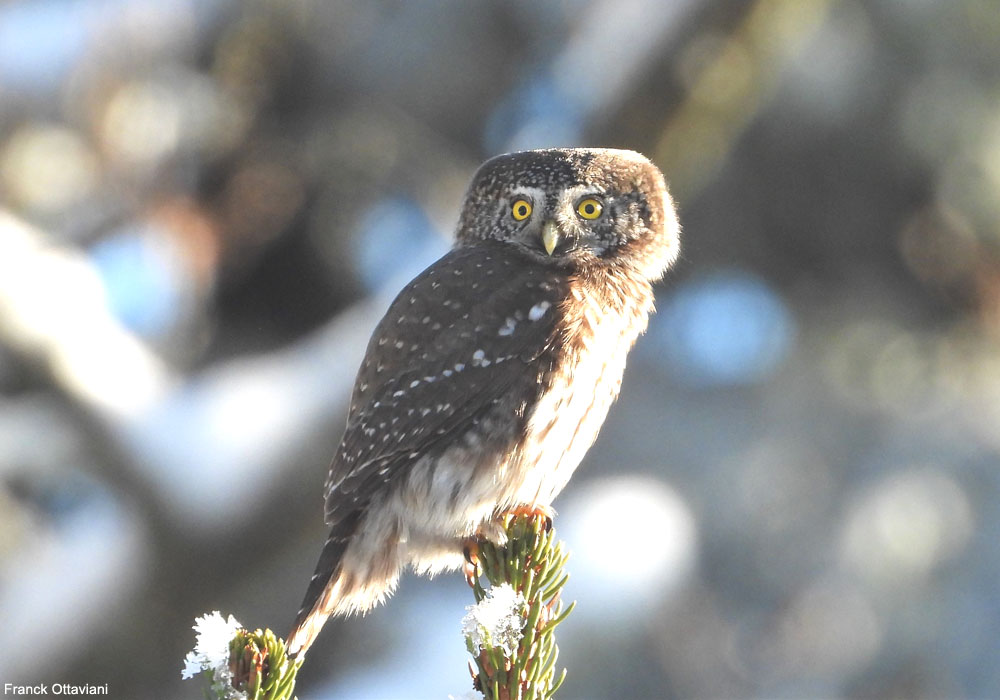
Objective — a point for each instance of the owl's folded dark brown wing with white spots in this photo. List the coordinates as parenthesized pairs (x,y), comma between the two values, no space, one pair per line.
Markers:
(459,338)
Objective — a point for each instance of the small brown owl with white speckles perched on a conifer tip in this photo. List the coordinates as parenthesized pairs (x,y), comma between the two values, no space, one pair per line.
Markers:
(489,377)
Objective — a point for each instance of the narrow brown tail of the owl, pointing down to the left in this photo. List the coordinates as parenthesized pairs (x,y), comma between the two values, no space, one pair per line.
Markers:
(324,589)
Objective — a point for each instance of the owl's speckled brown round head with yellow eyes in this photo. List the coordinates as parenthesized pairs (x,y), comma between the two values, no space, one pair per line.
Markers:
(575,207)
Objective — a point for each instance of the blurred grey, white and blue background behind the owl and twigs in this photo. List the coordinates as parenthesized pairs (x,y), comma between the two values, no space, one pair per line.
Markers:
(205,206)
